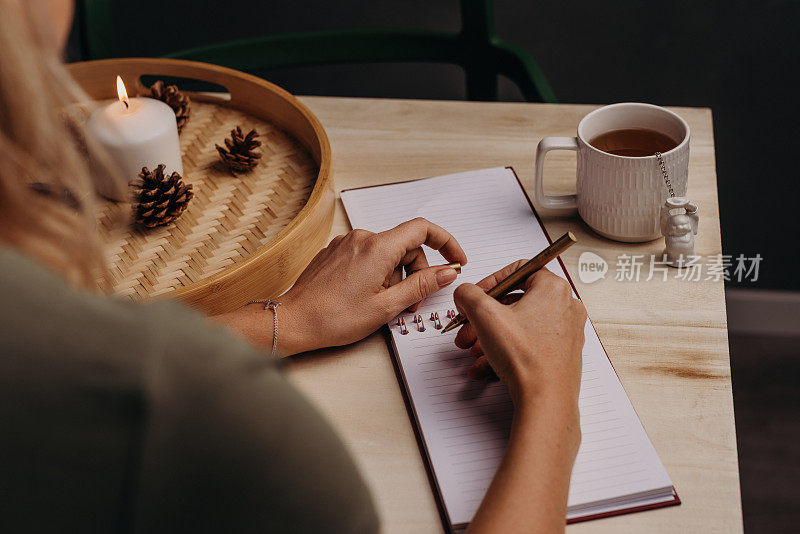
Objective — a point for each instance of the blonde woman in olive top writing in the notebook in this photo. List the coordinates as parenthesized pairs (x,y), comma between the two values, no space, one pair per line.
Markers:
(122,416)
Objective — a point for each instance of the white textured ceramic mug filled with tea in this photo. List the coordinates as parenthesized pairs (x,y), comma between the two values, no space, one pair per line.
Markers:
(619,197)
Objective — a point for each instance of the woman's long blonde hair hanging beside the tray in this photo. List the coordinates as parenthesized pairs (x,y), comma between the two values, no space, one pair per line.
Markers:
(41,142)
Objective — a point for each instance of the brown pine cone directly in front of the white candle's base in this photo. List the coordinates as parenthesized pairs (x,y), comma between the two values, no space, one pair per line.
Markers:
(160,199)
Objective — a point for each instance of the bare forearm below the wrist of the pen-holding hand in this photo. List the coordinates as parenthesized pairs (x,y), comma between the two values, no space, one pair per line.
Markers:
(529,491)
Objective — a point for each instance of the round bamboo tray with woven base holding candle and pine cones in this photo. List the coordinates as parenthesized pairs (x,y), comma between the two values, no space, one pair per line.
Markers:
(242,237)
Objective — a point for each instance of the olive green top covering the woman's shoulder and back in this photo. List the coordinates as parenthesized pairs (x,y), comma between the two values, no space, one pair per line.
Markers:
(117,416)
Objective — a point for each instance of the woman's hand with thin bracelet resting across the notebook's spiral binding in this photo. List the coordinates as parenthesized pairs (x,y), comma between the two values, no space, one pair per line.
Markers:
(353,286)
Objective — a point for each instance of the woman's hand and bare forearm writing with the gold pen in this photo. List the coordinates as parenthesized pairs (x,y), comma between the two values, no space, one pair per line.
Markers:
(533,342)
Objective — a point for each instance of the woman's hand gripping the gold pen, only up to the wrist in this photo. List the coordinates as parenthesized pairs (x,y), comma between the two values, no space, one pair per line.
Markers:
(532,341)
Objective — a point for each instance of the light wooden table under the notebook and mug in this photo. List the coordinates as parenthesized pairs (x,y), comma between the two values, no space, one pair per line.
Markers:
(667,340)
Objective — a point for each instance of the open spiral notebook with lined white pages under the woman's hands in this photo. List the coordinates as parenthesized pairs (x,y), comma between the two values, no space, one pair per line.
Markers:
(463,424)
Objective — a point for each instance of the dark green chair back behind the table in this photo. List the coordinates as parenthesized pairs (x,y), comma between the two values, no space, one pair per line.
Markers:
(476,48)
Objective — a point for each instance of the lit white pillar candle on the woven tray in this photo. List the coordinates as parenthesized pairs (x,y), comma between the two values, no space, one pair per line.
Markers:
(136,133)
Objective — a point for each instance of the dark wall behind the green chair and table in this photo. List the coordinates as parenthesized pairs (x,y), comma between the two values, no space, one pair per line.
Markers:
(739,58)
